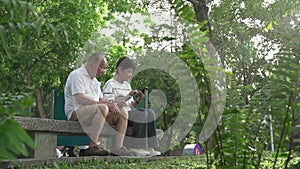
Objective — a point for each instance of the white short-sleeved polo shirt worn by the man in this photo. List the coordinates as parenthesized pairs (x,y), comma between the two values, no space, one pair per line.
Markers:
(79,81)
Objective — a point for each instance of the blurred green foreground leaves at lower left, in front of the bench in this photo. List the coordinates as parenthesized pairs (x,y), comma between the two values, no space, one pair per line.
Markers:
(13,138)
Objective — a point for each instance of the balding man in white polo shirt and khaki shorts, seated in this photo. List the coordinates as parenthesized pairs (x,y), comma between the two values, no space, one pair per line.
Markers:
(84,103)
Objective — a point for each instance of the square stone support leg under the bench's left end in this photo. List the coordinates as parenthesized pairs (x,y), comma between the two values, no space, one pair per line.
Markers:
(45,145)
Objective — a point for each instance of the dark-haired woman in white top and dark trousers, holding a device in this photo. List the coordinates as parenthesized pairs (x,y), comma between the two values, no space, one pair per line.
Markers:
(143,138)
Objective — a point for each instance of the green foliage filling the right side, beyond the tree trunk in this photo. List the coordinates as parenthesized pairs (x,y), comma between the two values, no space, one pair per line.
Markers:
(257,85)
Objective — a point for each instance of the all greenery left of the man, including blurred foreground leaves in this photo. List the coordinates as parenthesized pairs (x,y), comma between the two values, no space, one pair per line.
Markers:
(40,40)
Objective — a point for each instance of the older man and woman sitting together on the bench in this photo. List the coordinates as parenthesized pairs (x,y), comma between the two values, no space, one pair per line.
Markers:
(84,102)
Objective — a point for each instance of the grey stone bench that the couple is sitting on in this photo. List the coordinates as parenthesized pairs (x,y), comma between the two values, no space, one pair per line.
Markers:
(45,131)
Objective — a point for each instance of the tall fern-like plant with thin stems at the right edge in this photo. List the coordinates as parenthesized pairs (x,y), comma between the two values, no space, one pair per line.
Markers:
(284,98)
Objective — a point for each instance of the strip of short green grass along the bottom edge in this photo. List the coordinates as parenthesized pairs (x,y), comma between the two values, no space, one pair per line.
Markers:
(175,162)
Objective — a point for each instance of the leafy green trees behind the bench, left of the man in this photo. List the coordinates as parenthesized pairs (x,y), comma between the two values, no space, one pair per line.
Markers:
(41,40)
